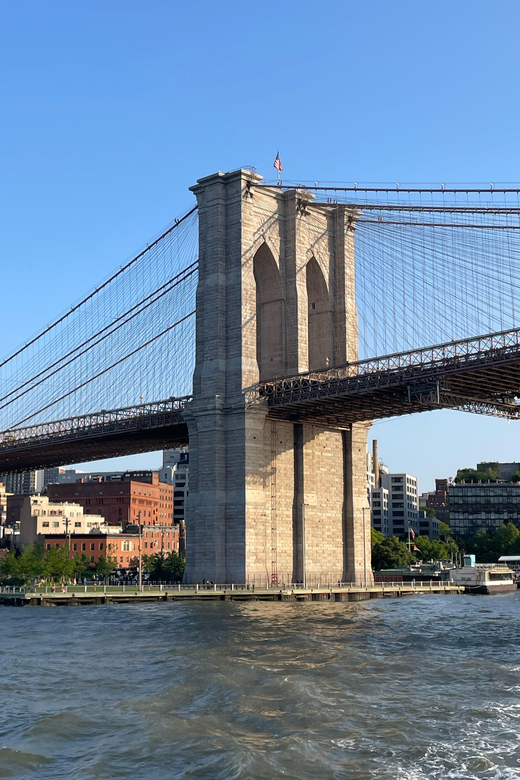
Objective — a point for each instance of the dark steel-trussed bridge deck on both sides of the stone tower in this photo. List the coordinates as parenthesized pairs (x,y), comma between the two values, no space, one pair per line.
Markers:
(480,375)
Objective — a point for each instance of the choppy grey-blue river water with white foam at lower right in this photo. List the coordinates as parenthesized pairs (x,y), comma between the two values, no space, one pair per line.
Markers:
(406,689)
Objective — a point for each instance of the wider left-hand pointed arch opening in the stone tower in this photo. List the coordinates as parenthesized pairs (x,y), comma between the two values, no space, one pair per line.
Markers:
(269,315)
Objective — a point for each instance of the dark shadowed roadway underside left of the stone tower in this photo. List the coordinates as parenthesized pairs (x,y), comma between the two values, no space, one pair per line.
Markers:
(87,445)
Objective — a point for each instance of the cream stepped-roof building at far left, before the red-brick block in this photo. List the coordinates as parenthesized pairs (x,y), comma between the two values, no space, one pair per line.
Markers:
(39,516)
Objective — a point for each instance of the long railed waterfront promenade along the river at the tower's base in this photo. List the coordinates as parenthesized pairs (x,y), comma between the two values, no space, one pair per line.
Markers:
(76,595)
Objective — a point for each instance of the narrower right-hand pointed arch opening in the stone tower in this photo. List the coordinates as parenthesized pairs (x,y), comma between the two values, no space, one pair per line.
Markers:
(319,318)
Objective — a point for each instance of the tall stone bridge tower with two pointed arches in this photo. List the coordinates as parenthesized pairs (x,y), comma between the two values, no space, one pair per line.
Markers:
(272,501)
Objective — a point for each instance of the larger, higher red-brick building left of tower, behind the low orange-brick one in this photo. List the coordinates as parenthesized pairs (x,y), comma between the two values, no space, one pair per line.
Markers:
(120,501)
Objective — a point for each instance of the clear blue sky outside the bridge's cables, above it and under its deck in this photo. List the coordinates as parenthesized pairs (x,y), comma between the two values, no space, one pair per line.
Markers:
(111,110)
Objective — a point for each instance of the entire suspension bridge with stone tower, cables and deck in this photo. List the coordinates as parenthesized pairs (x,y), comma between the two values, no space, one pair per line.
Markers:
(267,327)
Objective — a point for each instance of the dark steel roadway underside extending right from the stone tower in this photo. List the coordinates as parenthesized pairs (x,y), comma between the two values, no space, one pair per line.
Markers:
(483,383)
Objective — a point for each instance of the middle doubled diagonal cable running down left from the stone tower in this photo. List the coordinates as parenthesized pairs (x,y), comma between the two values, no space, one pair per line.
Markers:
(159,293)
